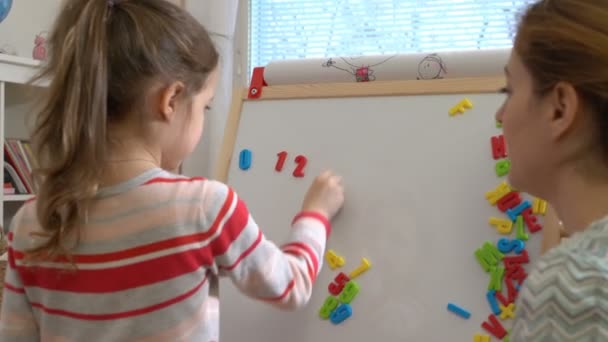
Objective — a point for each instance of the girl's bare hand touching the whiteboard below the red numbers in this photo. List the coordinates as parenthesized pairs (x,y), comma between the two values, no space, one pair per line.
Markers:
(325,195)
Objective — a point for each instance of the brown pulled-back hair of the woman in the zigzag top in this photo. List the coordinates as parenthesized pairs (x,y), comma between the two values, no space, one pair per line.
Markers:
(567,41)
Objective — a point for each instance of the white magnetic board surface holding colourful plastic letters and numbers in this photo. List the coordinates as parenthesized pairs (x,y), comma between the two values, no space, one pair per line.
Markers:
(415,180)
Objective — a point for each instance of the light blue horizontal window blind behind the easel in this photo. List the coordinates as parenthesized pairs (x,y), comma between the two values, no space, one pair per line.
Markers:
(296,29)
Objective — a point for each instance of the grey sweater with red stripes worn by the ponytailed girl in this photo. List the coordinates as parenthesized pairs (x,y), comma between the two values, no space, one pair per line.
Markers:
(147,261)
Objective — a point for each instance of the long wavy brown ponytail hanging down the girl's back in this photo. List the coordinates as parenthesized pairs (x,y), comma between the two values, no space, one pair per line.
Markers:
(70,134)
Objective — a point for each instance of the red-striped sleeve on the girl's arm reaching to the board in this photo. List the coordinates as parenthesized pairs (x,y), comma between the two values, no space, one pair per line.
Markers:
(280,275)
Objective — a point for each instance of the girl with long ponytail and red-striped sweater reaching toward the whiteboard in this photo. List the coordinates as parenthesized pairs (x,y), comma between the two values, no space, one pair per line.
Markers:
(115,248)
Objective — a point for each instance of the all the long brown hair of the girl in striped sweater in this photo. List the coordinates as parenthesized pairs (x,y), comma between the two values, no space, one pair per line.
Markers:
(104,57)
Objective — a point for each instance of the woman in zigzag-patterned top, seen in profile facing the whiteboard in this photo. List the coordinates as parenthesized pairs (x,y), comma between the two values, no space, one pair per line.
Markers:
(555,123)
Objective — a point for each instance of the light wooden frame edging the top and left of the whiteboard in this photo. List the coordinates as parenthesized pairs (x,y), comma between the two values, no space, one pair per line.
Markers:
(351,89)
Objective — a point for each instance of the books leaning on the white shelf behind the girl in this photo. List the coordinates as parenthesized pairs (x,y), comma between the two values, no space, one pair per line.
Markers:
(18,164)
